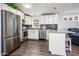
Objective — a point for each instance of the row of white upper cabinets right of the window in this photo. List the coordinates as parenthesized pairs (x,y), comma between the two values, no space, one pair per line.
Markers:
(49,19)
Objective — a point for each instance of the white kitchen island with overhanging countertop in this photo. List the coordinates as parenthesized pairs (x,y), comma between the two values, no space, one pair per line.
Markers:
(57,42)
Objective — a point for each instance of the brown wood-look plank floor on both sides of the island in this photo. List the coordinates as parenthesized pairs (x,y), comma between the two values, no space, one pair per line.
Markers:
(39,48)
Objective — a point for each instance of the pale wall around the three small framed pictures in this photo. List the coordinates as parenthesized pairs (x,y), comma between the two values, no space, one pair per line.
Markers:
(63,24)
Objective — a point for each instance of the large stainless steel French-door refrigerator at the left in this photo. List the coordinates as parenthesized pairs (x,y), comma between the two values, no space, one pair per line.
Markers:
(10,32)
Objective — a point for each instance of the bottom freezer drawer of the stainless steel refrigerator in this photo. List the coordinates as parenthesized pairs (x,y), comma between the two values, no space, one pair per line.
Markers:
(10,44)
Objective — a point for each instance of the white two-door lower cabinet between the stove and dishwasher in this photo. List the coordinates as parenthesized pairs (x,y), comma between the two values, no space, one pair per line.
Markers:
(33,34)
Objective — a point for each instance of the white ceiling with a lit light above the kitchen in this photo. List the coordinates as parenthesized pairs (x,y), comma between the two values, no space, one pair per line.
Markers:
(41,8)
